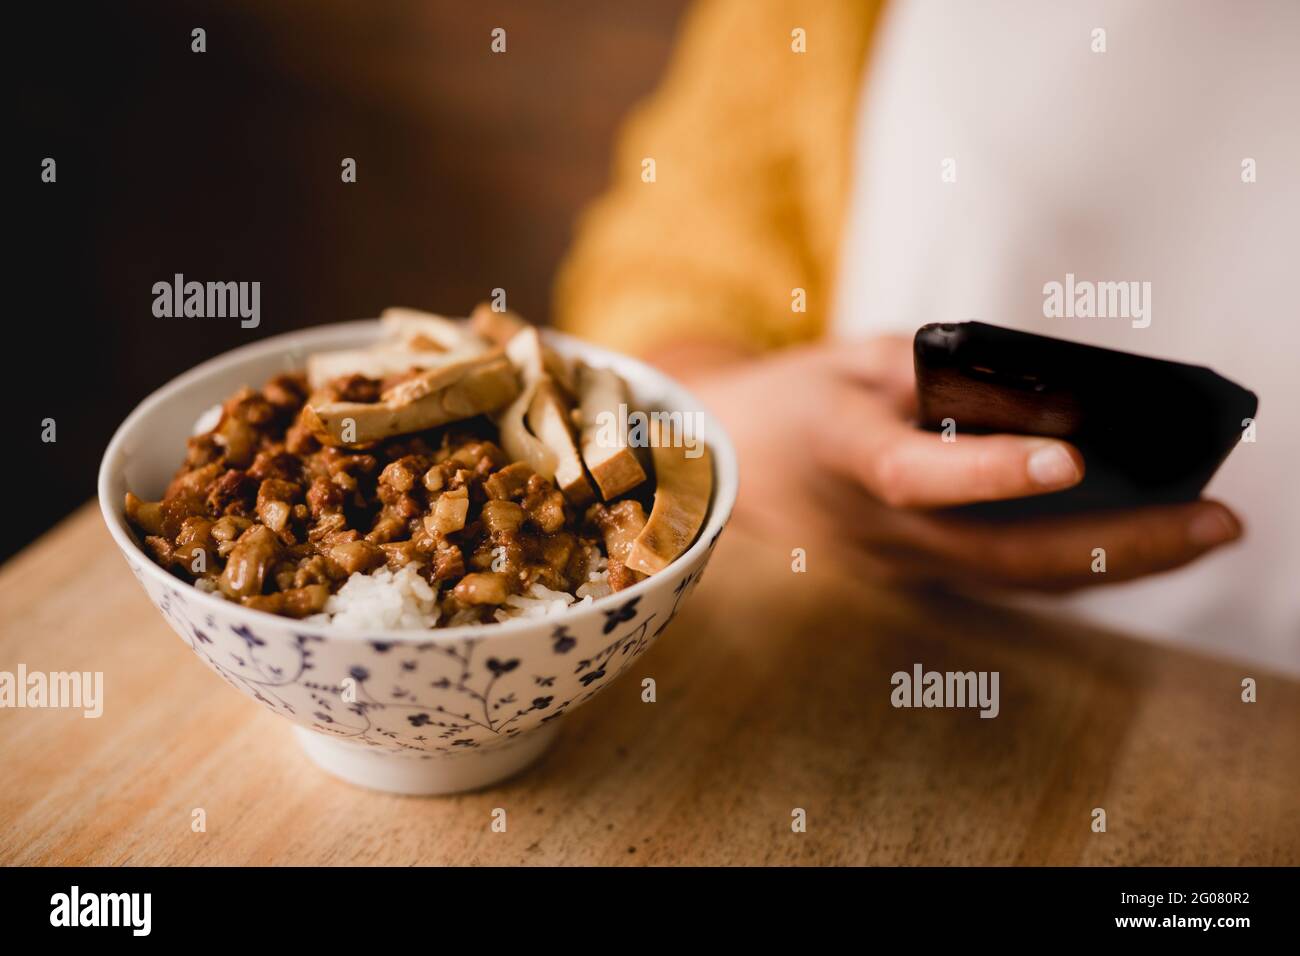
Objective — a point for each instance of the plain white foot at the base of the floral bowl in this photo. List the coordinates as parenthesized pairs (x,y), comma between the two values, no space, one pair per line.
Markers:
(411,775)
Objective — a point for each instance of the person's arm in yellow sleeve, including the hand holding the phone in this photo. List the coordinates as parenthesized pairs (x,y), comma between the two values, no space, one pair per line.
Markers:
(696,270)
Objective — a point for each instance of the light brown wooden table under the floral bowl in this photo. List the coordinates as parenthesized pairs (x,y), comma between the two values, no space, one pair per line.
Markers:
(773,695)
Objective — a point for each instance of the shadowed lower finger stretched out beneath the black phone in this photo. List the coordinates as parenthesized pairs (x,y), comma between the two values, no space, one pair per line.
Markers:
(1064,553)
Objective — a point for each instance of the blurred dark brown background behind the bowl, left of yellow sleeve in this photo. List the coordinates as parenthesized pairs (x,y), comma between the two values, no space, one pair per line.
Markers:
(226,167)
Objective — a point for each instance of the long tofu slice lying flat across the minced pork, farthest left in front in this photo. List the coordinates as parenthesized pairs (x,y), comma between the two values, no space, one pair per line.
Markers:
(450,393)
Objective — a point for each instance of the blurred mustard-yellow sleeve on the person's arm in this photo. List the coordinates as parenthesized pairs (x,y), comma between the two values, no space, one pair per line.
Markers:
(749,142)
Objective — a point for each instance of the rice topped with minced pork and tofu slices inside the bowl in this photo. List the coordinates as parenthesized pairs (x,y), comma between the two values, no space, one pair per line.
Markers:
(447,477)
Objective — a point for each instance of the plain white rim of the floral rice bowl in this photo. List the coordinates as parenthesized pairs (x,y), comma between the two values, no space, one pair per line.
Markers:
(726,477)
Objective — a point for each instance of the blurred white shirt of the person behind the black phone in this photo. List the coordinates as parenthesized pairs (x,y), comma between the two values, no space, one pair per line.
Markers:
(1117,166)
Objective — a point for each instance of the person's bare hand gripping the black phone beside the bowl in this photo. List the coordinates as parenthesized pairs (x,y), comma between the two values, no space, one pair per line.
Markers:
(829,452)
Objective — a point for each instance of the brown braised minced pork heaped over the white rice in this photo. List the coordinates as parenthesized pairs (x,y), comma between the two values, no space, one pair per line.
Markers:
(268,517)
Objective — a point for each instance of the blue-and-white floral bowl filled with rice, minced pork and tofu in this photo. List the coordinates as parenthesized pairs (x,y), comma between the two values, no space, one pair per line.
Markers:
(486,691)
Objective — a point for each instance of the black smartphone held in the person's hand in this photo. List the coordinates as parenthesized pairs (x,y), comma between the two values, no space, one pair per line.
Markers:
(1151,431)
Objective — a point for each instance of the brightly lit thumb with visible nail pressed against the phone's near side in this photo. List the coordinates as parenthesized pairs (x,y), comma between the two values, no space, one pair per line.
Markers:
(905,468)
